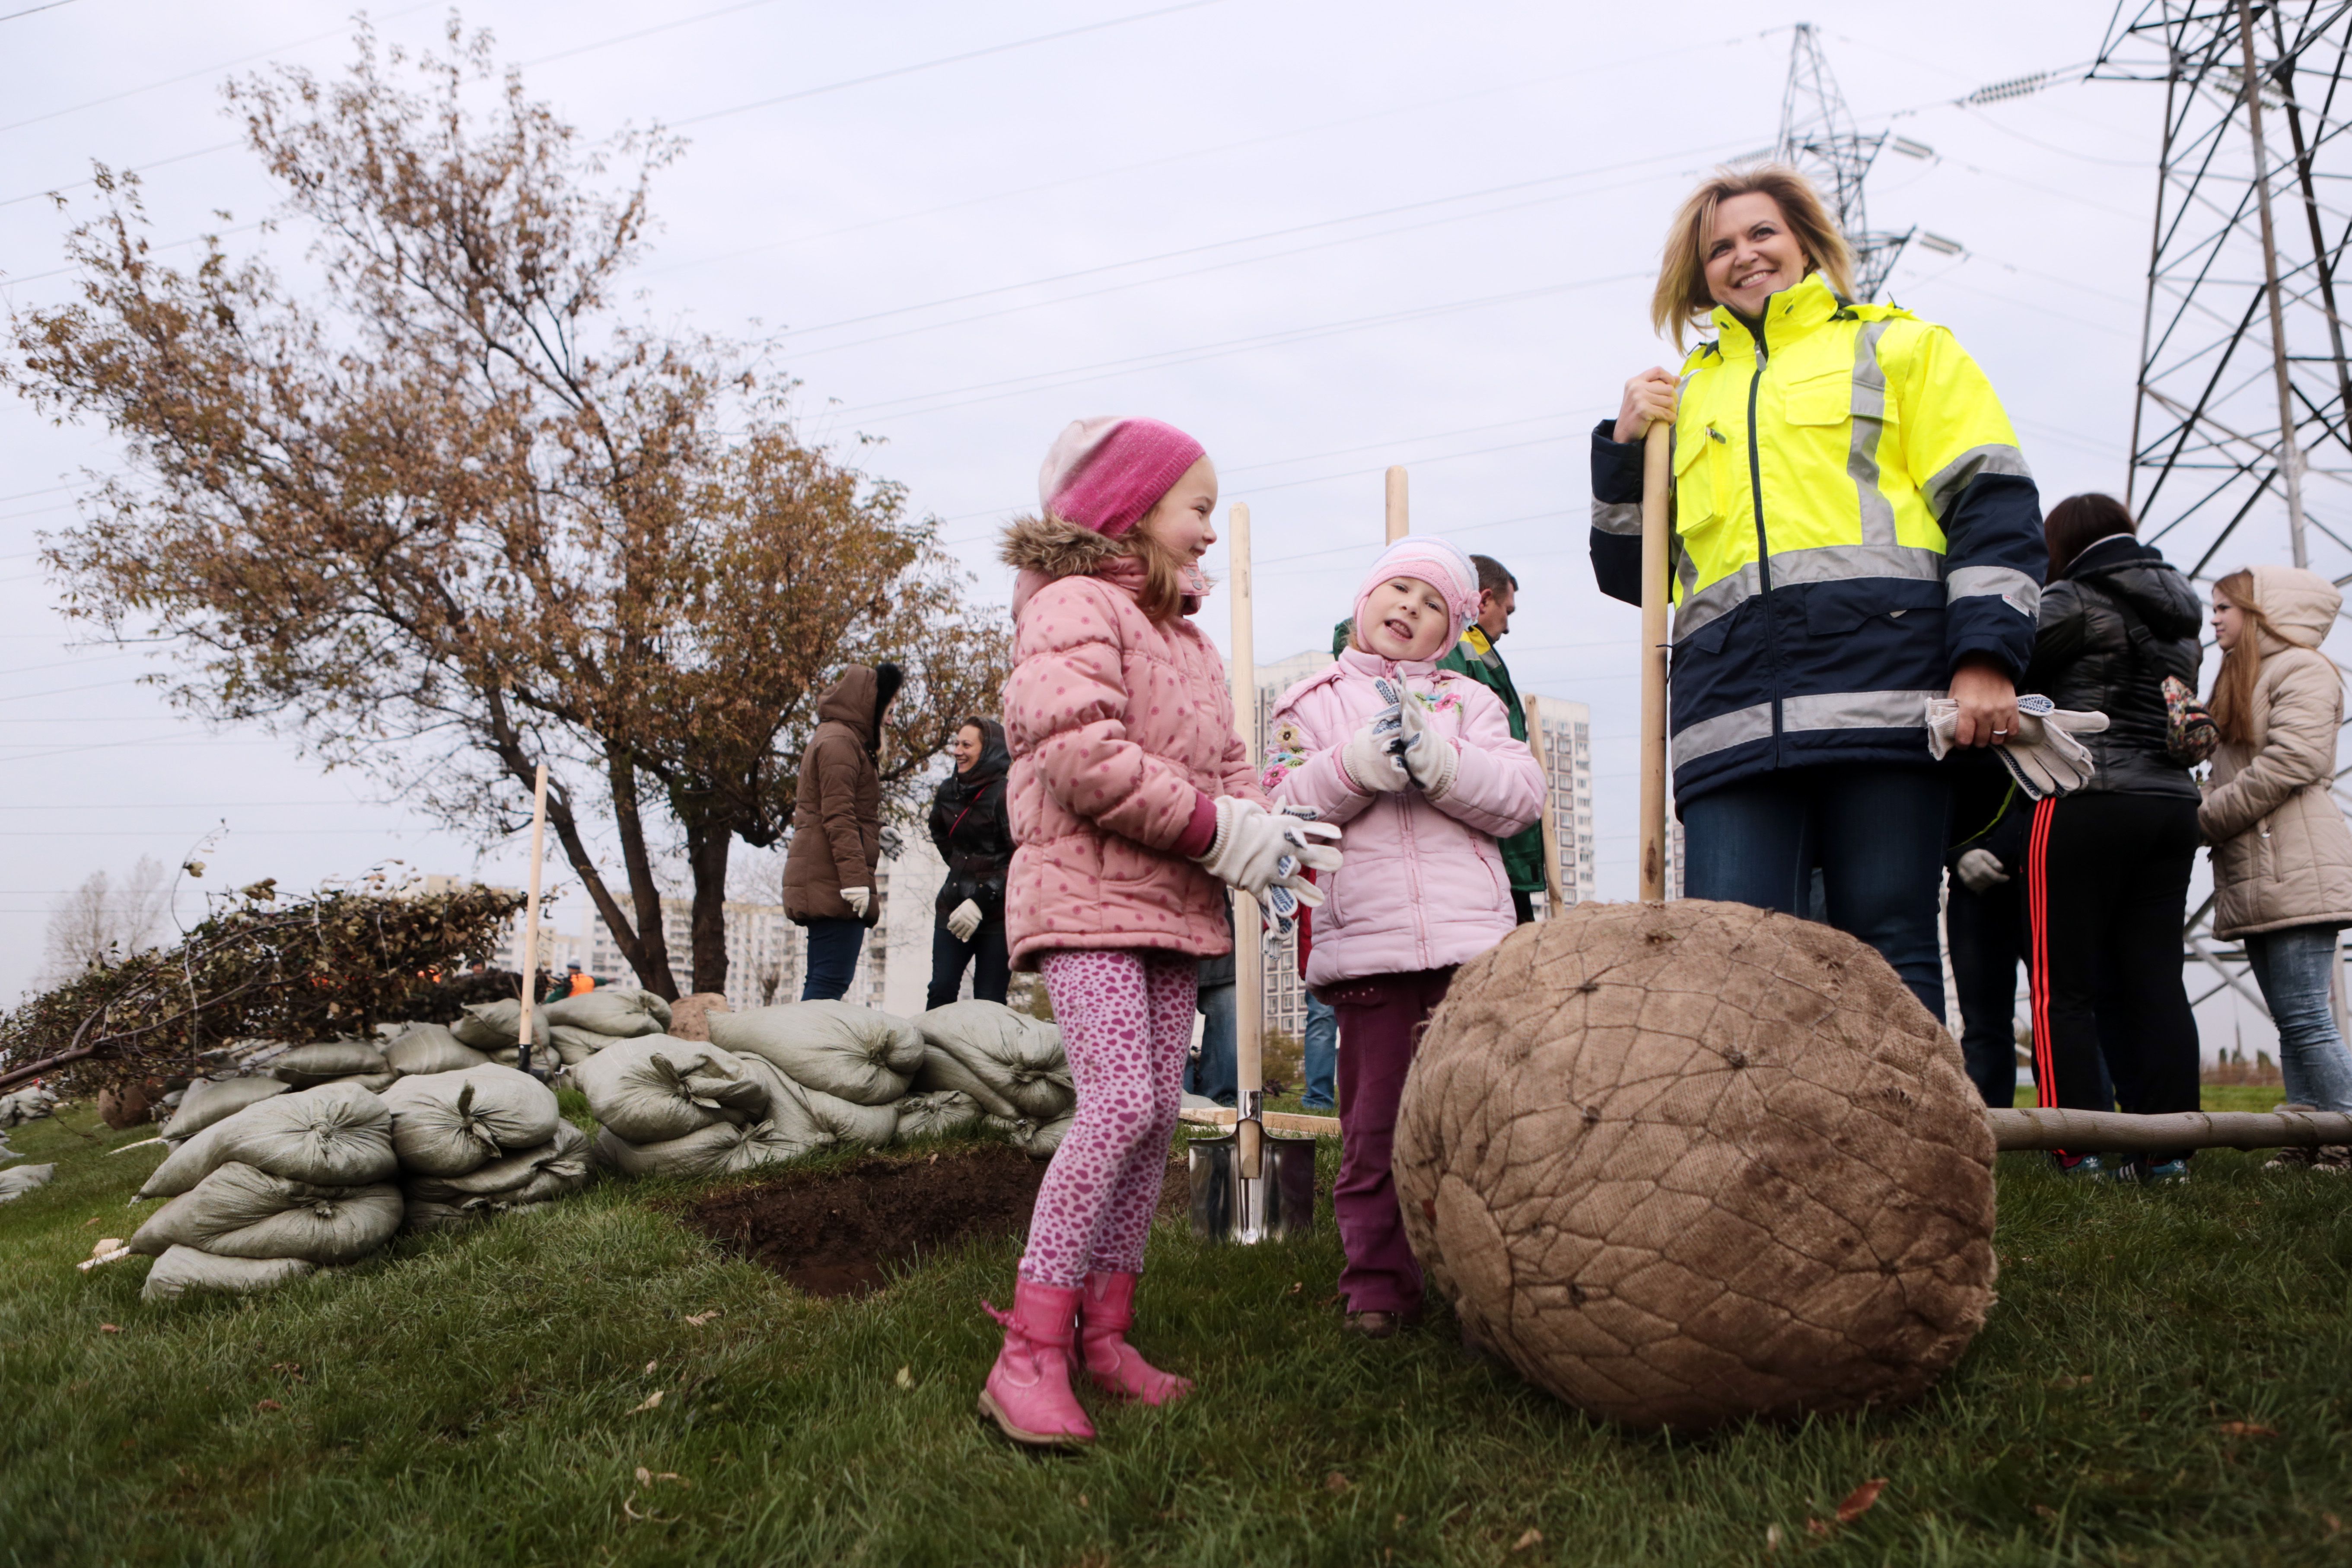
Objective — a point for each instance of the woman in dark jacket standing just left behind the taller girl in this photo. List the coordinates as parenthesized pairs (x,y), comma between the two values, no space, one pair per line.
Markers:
(975,838)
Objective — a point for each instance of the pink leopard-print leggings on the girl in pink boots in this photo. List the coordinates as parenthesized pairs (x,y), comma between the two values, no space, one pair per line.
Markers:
(1128,1026)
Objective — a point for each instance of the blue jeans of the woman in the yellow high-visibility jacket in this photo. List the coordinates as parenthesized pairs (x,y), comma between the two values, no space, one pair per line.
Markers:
(1878,836)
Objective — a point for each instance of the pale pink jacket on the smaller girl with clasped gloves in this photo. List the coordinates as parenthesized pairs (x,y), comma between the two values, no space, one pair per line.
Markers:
(1424,885)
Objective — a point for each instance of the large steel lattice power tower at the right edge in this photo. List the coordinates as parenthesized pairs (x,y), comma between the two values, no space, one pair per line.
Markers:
(2240,448)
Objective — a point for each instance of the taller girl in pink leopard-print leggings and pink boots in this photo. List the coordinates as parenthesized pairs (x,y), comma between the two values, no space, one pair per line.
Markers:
(1132,815)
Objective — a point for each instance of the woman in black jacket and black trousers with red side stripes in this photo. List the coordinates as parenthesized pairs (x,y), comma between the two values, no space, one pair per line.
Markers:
(2109,866)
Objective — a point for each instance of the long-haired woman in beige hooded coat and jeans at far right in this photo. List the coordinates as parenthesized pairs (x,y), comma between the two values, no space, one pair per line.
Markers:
(2283,855)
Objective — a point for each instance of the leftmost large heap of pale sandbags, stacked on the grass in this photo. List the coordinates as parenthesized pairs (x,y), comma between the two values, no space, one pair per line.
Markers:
(269,1181)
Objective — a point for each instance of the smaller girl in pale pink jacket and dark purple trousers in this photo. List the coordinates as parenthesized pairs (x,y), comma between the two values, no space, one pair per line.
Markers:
(1419,770)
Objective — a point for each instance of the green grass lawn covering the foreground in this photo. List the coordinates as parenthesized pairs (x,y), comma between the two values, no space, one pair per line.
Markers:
(469,1400)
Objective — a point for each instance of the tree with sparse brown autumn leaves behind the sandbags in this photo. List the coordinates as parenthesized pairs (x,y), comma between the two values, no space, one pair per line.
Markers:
(453,511)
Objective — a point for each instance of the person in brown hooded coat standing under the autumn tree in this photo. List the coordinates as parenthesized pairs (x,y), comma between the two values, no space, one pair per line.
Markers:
(829,873)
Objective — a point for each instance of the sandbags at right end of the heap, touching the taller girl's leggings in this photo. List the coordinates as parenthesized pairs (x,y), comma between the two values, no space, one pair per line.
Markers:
(982,1061)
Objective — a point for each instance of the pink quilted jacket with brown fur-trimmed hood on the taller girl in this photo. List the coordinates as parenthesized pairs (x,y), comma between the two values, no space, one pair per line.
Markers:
(1118,725)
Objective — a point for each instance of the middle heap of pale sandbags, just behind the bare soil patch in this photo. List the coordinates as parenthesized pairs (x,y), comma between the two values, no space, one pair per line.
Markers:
(768,1087)
